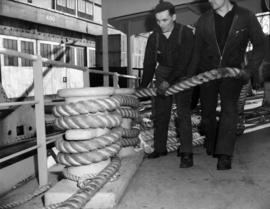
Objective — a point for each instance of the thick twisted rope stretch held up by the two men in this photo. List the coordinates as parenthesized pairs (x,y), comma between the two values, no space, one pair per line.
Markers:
(193,81)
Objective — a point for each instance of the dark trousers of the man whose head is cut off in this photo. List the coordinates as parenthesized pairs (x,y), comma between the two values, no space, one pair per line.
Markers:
(220,140)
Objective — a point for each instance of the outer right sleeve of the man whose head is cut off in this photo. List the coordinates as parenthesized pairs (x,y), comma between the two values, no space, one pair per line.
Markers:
(257,39)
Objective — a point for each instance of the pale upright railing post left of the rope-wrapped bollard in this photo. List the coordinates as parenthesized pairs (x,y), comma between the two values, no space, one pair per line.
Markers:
(40,122)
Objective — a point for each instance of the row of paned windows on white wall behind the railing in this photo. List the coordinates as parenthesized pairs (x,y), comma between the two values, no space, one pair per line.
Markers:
(74,55)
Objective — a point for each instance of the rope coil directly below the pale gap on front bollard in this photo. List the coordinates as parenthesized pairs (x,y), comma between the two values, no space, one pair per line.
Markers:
(68,146)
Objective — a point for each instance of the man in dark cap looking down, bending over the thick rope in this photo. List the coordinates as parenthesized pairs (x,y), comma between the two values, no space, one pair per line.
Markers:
(170,45)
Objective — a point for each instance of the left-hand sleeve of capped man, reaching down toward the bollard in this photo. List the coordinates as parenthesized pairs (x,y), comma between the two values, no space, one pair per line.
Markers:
(149,63)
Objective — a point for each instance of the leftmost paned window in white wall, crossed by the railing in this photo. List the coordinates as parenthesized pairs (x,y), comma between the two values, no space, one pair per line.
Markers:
(10,44)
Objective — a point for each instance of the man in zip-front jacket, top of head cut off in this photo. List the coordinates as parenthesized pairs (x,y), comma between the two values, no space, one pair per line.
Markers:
(221,38)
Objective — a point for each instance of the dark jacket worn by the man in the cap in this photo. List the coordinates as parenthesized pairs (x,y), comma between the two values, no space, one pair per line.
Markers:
(169,54)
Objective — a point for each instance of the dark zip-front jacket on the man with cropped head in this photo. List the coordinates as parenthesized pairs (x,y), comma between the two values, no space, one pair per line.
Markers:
(207,55)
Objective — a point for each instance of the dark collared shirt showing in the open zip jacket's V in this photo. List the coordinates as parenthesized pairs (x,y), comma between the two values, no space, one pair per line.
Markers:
(222,27)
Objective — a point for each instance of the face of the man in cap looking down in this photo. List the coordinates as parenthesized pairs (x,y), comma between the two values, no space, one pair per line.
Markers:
(165,20)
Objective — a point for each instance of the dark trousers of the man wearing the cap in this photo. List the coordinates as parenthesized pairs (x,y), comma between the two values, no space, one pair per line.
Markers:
(163,106)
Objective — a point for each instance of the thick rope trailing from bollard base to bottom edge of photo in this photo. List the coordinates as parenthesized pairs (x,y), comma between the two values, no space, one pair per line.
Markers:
(83,195)
